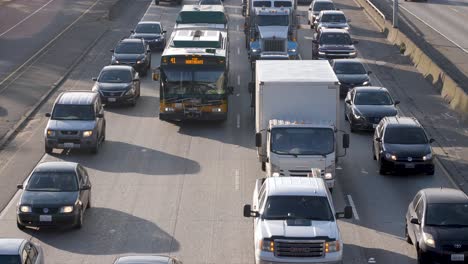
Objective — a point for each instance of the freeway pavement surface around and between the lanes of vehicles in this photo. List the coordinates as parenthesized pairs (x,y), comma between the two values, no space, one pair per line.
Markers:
(179,188)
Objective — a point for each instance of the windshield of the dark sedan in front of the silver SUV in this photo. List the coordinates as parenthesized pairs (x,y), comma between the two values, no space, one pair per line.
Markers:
(53,181)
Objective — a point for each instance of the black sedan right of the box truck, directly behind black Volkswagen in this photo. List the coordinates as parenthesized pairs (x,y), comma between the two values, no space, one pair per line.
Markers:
(366,106)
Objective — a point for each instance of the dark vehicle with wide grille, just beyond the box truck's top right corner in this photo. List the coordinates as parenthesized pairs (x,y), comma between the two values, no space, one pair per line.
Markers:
(333,44)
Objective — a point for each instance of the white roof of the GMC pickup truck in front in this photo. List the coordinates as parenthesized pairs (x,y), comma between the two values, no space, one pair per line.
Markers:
(293,186)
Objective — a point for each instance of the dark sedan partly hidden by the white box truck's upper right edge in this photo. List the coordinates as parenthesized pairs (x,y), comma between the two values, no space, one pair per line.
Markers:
(350,73)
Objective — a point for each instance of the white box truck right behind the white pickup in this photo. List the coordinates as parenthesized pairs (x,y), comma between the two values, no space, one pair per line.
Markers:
(296,118)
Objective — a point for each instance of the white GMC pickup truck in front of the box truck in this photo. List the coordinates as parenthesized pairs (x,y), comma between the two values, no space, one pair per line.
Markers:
(295,221)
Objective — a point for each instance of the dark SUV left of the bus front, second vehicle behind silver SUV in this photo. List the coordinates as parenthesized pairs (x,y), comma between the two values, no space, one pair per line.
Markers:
(132,52)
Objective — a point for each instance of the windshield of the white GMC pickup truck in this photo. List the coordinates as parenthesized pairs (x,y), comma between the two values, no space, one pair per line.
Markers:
(298,207)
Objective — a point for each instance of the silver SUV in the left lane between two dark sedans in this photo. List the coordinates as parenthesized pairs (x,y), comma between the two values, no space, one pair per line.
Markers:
(76,122)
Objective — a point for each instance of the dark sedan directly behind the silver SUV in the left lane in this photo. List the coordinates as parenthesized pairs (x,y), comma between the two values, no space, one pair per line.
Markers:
(118,85)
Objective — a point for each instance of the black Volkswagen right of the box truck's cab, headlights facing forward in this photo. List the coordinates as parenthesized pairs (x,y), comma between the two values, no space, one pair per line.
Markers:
(400,143)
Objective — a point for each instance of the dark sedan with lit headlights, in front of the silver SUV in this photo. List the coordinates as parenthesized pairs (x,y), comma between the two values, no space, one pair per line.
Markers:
(56,194)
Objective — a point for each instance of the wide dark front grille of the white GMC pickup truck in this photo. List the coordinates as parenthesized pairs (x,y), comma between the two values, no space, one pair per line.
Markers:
(299,249)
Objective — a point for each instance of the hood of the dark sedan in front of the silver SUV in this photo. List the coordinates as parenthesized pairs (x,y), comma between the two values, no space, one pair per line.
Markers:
(48,198)
